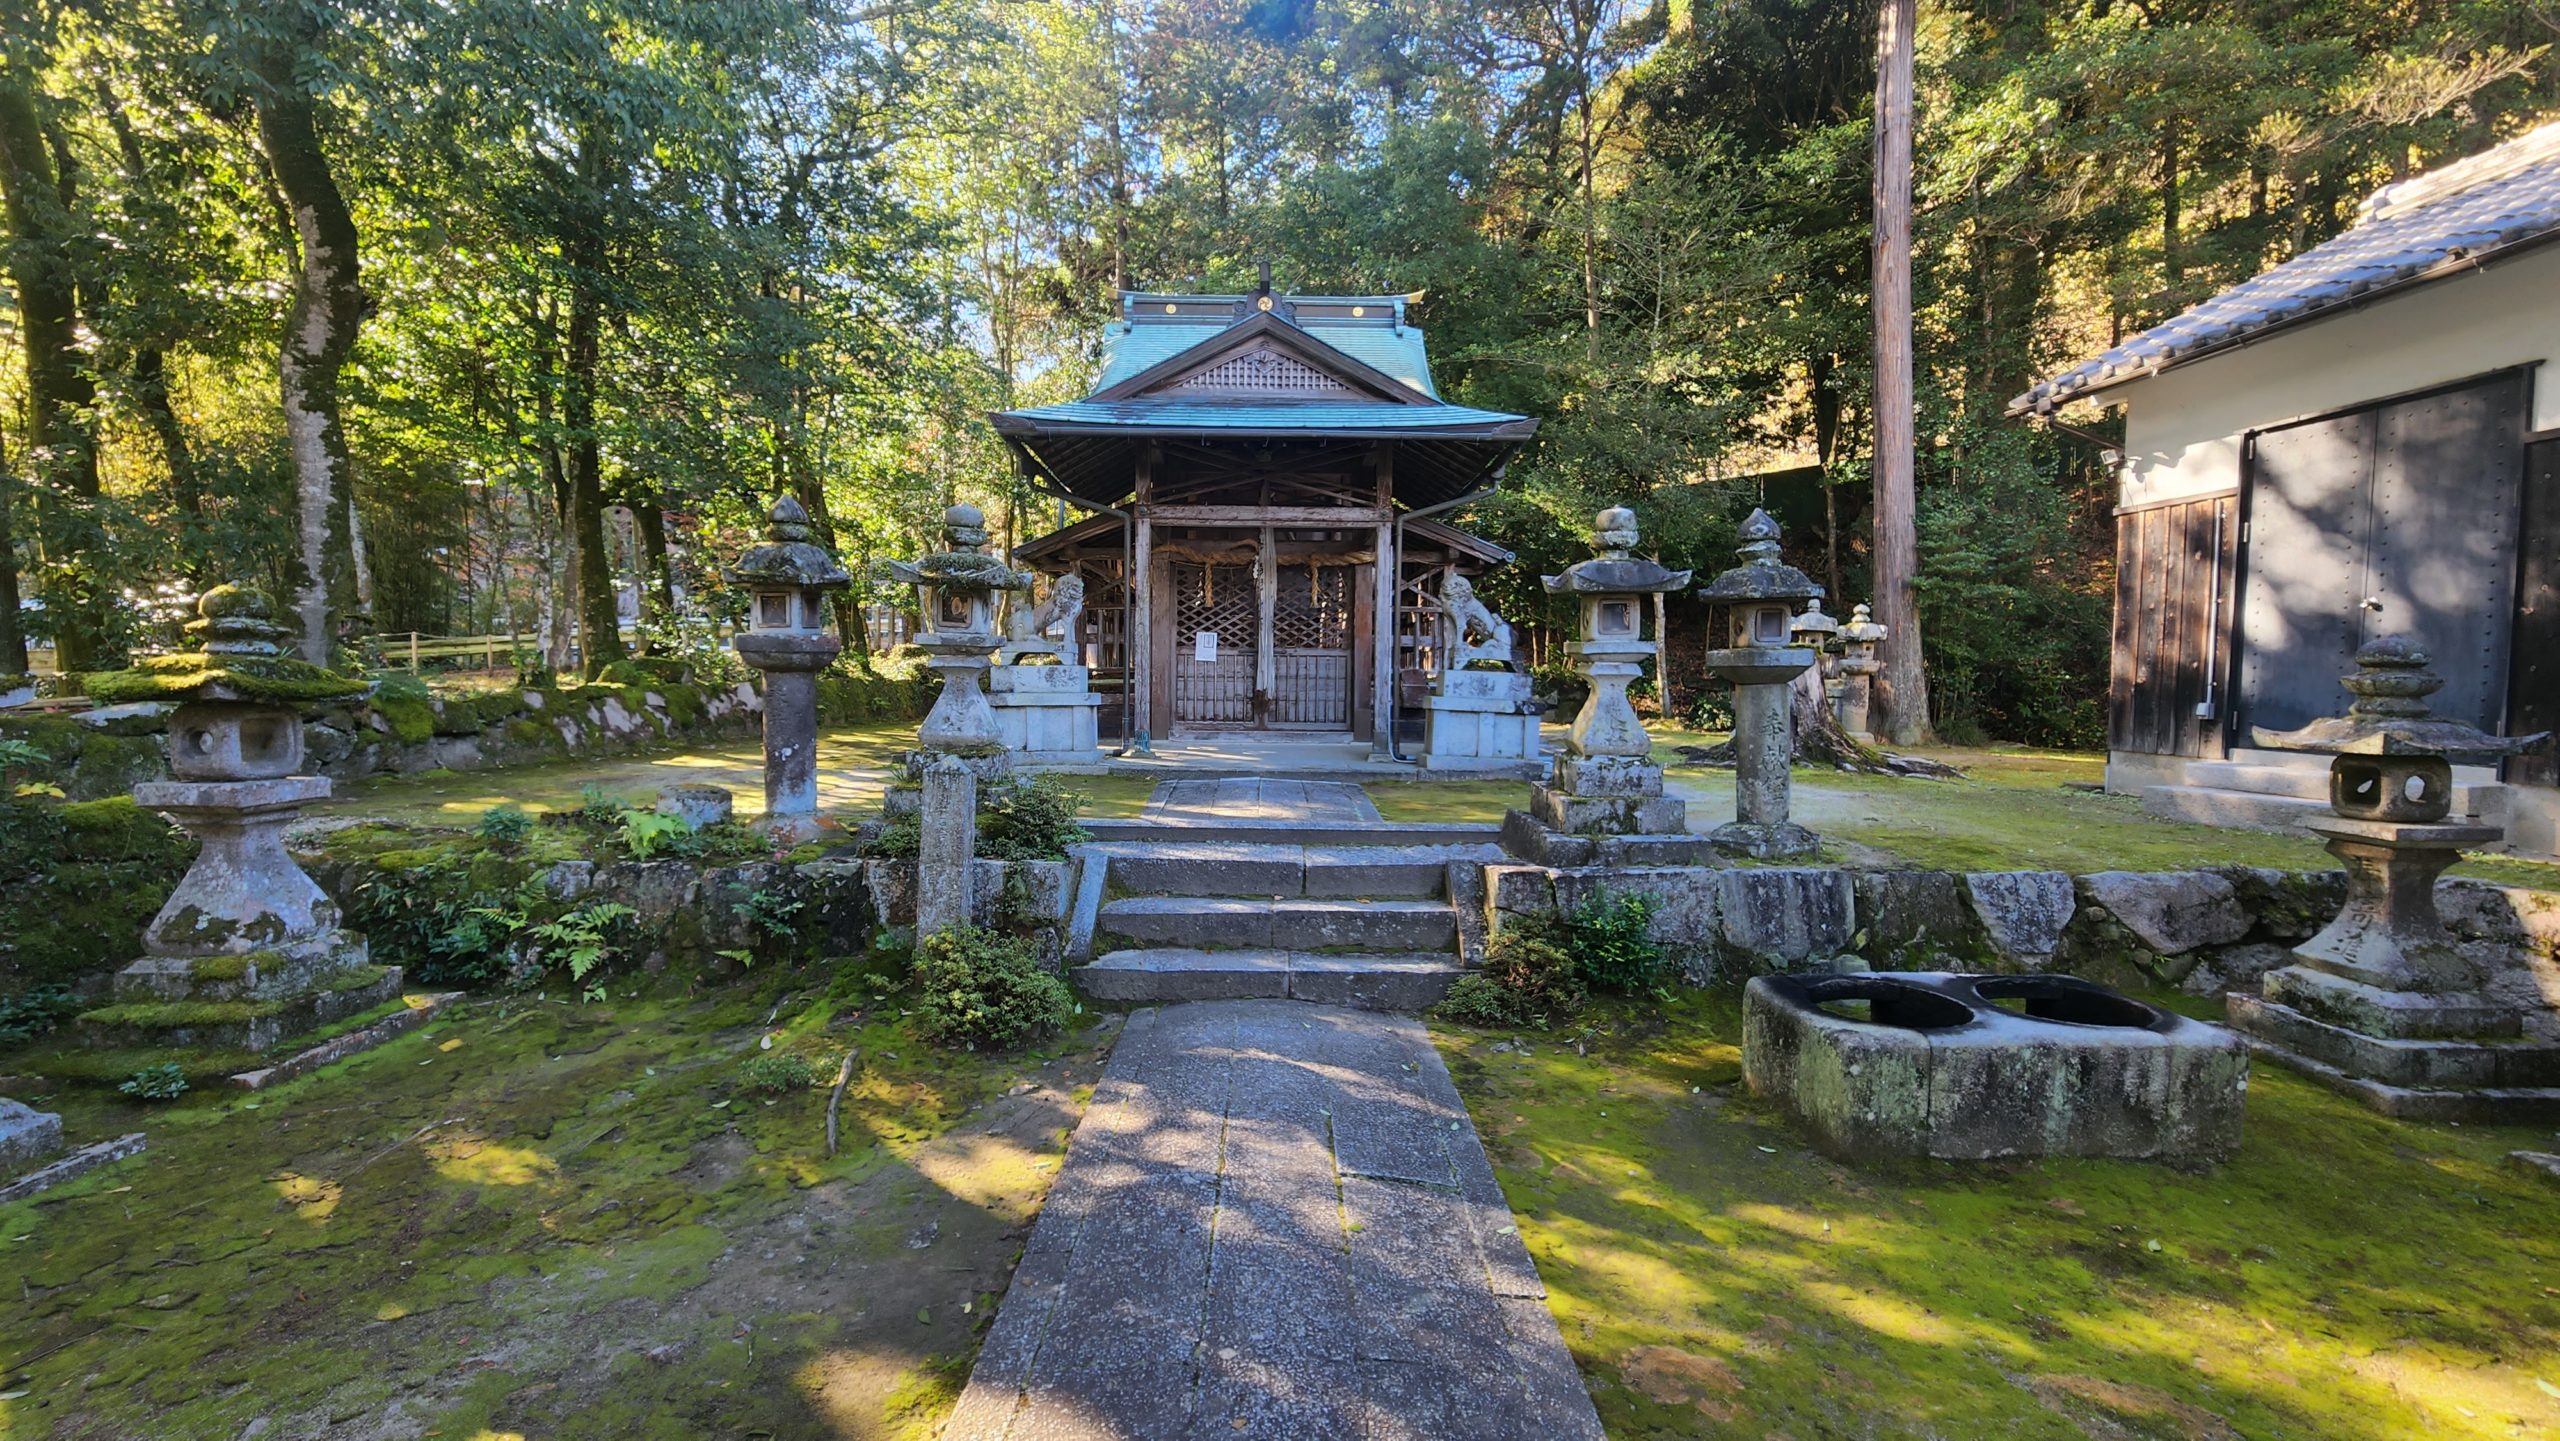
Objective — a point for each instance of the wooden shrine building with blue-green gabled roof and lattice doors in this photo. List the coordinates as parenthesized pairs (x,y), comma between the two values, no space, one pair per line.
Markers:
(1263,477)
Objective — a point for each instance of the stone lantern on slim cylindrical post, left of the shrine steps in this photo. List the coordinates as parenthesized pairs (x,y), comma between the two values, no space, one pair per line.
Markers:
(790,580)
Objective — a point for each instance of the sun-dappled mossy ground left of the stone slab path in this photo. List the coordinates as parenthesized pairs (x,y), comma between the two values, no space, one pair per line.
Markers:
(547,1220)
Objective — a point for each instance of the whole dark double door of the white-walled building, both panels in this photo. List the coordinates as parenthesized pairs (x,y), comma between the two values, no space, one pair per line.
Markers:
(2387,521)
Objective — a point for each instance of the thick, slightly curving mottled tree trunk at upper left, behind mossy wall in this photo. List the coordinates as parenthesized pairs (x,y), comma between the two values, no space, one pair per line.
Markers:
(319,339)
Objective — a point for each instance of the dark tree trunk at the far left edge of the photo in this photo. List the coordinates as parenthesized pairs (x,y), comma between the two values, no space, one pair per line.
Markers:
(60,385)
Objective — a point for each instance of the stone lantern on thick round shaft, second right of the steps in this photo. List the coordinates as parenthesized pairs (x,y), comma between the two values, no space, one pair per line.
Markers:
(1763,662)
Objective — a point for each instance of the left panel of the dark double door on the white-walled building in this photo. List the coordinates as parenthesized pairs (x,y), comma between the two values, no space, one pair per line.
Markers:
(2300,618)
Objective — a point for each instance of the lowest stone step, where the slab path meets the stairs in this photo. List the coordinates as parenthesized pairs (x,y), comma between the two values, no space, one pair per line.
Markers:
(1371,982)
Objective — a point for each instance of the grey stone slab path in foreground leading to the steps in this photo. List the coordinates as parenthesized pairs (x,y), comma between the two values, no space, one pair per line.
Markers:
(1276,1222)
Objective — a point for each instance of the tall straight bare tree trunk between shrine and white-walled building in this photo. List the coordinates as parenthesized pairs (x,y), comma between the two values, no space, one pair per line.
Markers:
(1903,685)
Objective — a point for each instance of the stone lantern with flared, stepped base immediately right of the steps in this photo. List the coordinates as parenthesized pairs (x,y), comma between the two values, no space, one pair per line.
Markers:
(1606,779)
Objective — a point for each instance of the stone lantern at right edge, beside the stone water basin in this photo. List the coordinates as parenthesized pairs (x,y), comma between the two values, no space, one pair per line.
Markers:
(2385,997)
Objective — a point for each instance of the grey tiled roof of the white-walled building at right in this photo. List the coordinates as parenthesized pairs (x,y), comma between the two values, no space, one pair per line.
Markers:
(2410,232)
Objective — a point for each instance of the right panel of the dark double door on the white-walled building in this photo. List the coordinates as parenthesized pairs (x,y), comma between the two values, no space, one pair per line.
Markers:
(2441,562)
